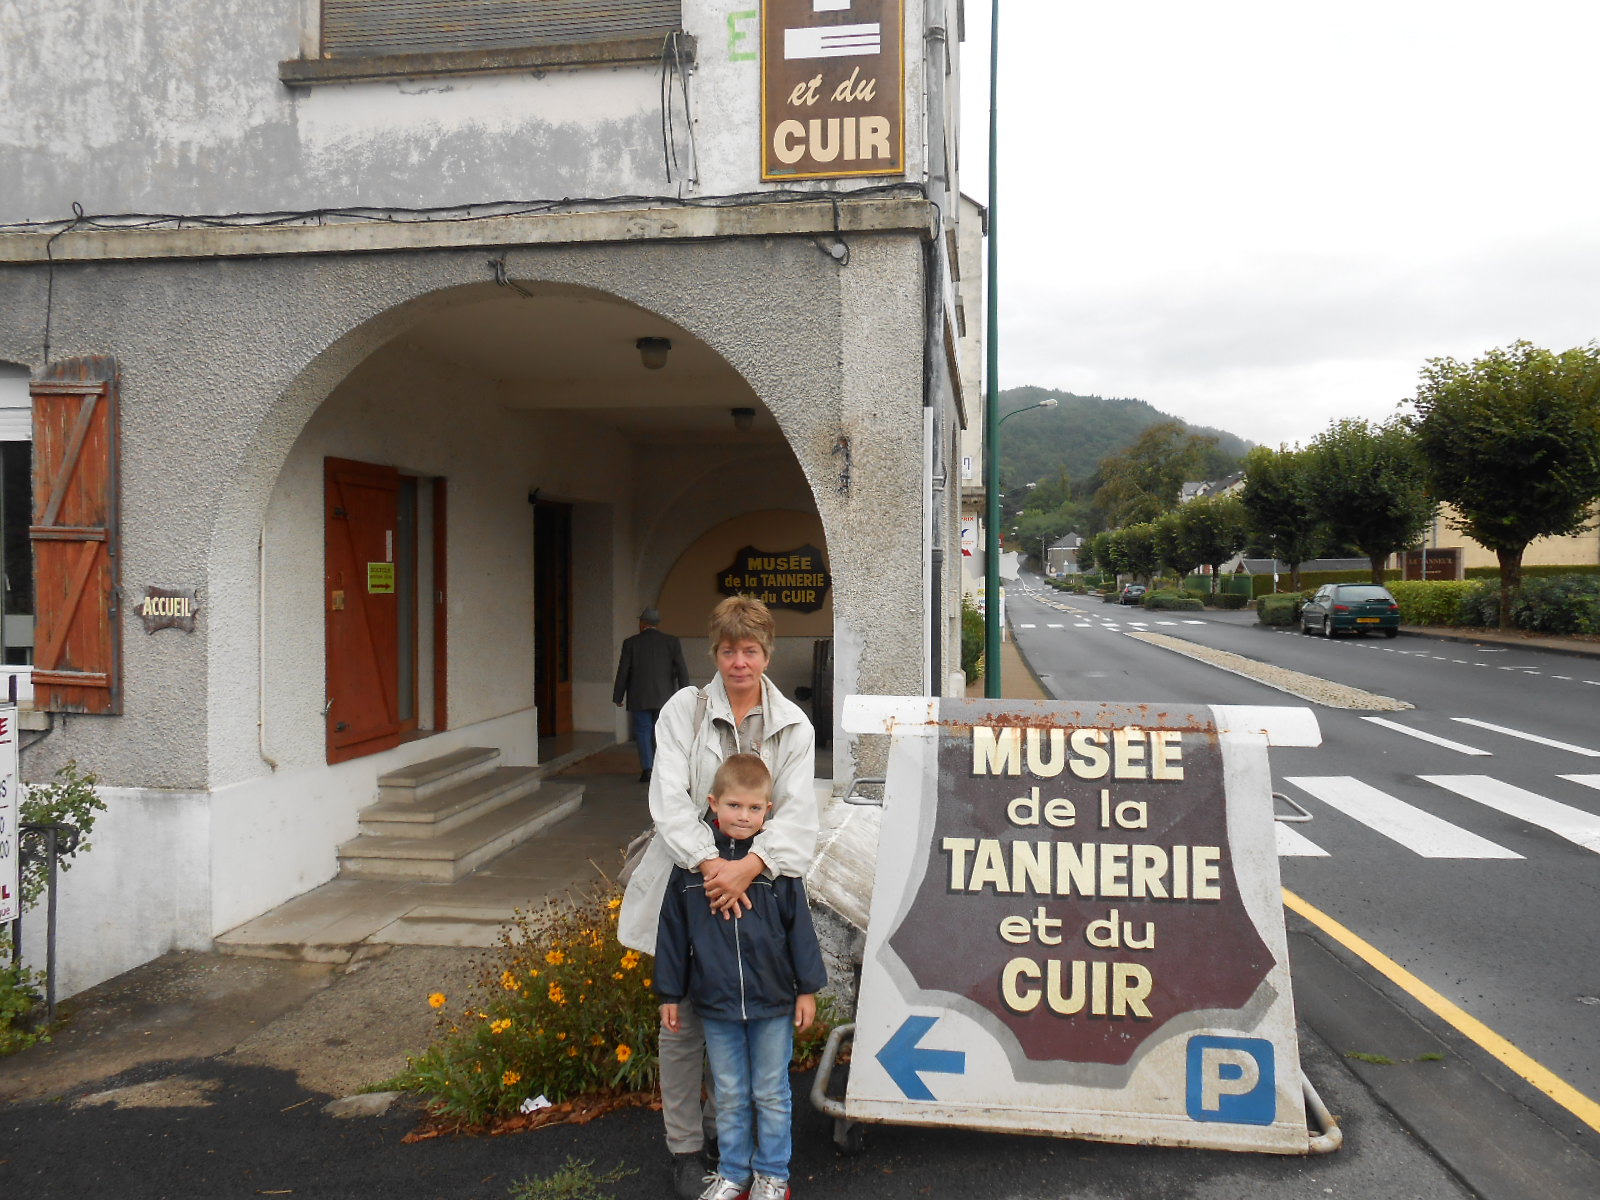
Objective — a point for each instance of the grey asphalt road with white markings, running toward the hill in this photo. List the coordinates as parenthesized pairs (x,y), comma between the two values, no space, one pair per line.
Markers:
(1473,860)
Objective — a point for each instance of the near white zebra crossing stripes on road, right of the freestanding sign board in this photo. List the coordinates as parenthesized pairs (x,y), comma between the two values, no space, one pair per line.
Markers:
(1430,836)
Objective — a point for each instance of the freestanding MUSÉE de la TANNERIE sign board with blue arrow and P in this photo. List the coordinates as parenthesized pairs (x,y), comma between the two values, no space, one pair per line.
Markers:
(1078,924)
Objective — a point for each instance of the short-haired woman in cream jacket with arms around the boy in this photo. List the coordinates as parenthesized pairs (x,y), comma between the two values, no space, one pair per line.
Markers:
(740,711)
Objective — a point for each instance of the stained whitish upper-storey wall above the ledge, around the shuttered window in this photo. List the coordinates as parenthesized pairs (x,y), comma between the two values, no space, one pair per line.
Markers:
(186,113)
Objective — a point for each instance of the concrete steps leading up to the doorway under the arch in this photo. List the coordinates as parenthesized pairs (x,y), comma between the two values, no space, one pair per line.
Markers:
(444,818)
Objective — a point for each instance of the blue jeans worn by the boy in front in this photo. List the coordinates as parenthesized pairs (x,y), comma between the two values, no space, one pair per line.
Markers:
(750,1070)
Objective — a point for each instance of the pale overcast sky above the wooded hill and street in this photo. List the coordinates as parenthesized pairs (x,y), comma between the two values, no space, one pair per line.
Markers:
(1265,217)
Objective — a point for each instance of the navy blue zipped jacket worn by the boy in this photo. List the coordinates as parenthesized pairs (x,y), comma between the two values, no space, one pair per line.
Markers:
(750,969)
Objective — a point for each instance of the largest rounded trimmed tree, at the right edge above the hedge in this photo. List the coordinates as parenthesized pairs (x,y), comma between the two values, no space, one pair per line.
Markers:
(1513,444)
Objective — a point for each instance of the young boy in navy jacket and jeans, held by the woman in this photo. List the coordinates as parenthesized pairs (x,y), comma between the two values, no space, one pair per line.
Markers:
(753,980)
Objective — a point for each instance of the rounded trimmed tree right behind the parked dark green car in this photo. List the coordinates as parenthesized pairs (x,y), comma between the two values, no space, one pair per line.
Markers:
(1366,482)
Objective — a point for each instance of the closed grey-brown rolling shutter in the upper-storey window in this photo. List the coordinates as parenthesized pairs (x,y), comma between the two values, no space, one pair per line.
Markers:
(362,28)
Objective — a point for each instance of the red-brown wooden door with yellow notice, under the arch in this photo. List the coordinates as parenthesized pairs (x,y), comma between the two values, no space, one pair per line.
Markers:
(362,612)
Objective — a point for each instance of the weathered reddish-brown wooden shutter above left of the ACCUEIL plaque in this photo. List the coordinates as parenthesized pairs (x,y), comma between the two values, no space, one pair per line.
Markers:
(78,657)
